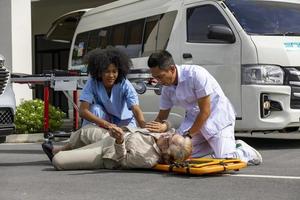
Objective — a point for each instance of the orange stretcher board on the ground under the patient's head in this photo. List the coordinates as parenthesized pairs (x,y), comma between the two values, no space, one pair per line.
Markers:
(201,166)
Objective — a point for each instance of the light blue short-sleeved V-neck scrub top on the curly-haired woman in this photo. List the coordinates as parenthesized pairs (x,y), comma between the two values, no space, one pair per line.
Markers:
(123,97)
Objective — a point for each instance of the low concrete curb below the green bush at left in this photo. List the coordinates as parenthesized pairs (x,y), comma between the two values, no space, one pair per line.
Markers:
(25,138)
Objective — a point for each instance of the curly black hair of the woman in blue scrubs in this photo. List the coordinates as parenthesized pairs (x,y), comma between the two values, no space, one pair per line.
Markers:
(98,61)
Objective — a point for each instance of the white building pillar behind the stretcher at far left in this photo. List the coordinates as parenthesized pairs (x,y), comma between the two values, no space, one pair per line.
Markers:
(15,40)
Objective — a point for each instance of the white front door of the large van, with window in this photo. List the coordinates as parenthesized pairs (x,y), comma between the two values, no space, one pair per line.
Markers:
(221,57)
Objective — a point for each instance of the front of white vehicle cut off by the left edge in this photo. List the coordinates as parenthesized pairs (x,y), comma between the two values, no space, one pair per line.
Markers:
(7,102)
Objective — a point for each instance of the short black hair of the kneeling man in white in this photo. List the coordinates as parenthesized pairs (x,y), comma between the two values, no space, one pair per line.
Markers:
(162,59)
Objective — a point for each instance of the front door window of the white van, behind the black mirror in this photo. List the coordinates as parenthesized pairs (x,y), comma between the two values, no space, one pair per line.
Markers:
(198,19)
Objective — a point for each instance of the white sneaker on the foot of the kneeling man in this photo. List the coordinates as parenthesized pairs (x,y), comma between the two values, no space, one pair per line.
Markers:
(255,156)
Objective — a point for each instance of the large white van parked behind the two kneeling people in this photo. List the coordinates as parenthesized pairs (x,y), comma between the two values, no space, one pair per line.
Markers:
(252,47)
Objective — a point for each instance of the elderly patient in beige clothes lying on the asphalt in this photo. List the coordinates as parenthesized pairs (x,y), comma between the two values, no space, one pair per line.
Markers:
(92,147)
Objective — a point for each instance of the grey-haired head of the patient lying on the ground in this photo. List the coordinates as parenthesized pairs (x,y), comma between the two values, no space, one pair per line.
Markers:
(174,147)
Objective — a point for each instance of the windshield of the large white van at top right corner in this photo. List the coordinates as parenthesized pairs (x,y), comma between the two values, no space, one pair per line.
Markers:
(267,17)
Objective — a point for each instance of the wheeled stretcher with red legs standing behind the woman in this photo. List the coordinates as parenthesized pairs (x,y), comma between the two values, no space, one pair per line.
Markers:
(60,80)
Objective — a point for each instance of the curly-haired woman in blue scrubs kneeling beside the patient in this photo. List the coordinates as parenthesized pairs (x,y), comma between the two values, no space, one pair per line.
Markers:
(108,98)
